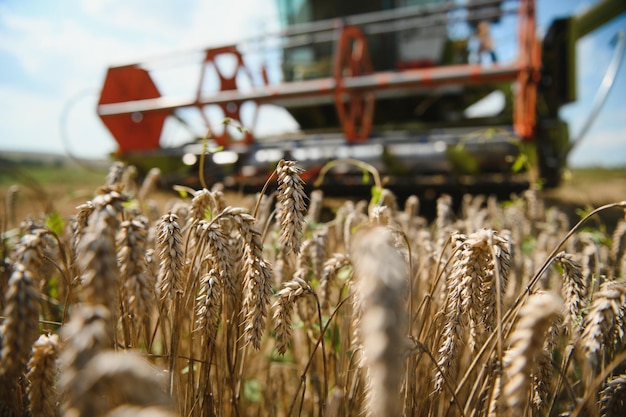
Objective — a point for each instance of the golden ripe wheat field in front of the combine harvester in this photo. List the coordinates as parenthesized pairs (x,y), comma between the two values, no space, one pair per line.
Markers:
(270,308)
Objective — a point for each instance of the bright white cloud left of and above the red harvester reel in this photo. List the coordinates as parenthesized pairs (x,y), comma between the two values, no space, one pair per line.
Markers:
(68,54)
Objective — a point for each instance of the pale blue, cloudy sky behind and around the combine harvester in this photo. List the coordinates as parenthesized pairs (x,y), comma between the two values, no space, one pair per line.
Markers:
(54,56)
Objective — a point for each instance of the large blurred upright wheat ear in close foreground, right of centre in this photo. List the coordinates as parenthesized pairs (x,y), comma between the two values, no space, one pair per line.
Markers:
(381,275)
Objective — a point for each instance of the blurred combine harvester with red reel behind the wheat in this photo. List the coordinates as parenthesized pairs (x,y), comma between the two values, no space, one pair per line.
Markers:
(393,83)
